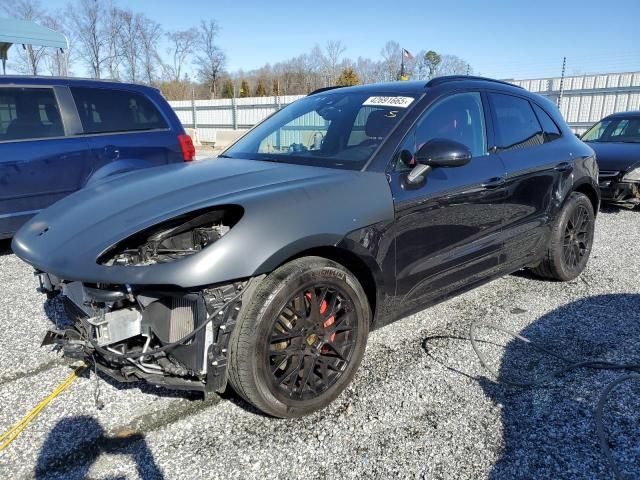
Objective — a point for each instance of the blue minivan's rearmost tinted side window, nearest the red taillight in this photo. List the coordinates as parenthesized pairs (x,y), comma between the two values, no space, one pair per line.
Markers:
(103,110)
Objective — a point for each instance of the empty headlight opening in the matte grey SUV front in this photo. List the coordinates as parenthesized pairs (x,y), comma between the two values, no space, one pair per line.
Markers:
(173,239)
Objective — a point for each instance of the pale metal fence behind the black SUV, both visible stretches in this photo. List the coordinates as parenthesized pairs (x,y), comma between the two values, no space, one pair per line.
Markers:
(584,100)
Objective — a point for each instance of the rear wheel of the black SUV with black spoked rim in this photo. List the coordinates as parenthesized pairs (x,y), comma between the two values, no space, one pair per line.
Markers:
(571,240)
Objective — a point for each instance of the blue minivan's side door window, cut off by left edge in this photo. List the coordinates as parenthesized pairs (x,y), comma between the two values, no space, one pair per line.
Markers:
(29,113)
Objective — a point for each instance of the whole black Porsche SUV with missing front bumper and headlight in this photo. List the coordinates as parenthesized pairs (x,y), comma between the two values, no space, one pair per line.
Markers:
(351,208)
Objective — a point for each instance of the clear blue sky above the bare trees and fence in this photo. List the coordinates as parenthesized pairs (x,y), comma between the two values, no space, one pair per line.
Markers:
(501,38)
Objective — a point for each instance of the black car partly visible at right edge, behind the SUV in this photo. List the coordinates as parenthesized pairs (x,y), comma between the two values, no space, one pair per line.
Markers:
(616,141)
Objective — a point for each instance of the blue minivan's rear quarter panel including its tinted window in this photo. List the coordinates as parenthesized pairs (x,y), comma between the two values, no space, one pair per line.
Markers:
(125,129)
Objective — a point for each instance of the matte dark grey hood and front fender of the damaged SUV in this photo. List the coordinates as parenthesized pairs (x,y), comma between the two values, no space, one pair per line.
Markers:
(286,208)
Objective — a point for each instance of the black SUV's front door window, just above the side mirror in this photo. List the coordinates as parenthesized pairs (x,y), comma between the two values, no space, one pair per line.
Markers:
(459,117)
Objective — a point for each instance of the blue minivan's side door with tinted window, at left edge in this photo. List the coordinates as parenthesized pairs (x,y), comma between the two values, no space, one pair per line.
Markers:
(40,160)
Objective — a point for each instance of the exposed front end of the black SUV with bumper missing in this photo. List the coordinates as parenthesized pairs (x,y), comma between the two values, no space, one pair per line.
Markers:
(169,337)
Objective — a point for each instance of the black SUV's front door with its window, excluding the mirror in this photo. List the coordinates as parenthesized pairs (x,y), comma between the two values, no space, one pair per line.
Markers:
(448,229)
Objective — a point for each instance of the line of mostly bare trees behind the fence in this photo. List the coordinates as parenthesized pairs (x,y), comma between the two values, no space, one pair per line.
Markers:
(110,41)
